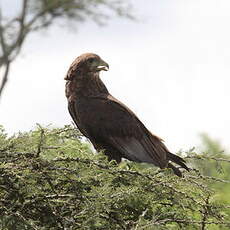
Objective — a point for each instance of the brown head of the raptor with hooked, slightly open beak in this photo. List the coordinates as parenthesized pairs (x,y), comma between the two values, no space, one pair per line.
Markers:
(85,64)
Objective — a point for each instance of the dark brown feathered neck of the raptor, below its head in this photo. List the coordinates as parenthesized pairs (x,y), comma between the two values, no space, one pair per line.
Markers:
(88,86)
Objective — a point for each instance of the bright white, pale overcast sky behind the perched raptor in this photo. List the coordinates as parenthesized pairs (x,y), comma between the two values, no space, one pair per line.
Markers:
(172,68)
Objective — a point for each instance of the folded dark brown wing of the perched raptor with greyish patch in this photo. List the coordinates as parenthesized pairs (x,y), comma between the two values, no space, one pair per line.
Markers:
(118,126)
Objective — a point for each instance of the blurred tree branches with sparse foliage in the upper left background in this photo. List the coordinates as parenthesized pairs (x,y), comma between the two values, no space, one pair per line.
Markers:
(35,15)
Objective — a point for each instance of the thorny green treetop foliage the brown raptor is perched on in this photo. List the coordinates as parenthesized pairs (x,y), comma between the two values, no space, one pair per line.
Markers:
(51,179)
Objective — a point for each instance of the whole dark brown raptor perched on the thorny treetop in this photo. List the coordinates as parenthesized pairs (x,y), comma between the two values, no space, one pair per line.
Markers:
(108,123)
